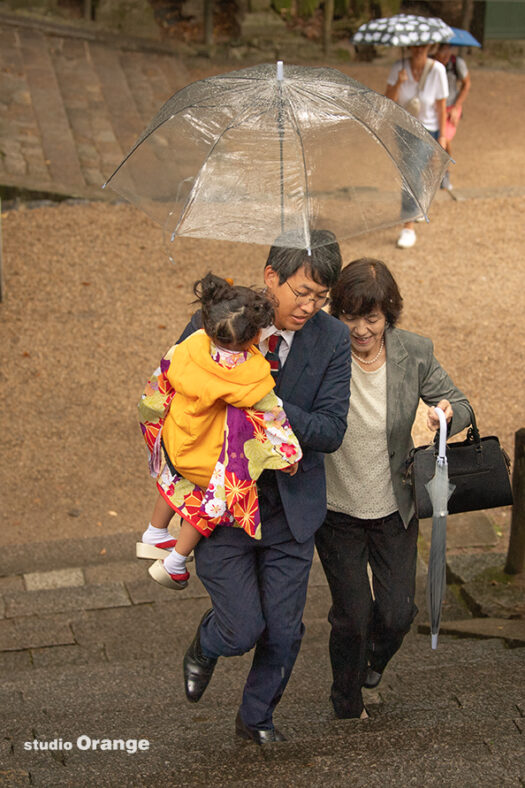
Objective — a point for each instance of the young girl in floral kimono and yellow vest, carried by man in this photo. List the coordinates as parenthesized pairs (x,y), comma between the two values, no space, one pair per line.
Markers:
(224,426)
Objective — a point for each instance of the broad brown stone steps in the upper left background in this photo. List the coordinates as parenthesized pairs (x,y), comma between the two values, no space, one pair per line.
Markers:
(73,107)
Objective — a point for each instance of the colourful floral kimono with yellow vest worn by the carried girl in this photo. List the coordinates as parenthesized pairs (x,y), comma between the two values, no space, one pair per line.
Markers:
(187,409)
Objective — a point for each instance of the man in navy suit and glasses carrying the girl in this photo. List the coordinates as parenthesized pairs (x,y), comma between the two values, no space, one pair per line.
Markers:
(258,588)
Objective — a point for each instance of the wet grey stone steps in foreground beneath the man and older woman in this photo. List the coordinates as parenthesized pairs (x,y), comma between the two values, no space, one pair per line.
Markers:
(91,649)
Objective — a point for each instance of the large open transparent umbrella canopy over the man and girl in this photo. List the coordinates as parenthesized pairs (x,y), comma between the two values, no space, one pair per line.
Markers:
(255,154)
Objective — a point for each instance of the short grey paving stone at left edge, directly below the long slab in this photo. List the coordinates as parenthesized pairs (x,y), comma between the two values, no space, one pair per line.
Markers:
(32,632)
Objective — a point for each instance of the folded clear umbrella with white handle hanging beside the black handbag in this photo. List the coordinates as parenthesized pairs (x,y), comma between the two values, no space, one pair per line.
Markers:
(439,490)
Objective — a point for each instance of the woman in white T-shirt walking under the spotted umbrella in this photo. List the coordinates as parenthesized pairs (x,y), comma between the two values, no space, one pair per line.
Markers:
(403,84)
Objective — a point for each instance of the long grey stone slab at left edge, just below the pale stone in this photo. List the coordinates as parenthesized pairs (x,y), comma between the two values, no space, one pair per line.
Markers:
(58,600)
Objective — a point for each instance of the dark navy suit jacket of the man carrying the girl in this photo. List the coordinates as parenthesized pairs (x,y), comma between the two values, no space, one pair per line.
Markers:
(314,385)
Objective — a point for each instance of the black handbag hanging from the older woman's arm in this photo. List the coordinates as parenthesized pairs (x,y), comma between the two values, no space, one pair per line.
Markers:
(478,467)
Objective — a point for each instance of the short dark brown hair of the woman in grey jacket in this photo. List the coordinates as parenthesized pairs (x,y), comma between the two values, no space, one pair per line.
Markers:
(364,285)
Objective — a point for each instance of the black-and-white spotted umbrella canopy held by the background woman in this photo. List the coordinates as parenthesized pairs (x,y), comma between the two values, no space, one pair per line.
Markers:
(403,30)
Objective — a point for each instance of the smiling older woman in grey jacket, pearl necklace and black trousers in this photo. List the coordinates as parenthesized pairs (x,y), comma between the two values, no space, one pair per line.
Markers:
(370,518)
